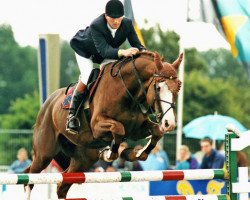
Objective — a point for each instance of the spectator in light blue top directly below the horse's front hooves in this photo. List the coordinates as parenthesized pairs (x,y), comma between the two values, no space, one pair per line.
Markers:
(157,160)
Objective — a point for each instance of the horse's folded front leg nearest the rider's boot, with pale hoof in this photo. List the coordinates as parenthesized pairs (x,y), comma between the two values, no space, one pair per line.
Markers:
(104,126)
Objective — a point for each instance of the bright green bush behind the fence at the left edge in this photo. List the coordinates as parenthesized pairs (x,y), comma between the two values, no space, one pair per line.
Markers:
(22,115)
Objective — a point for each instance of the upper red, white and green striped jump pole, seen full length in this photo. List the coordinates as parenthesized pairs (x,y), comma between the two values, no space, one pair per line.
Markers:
(110,177)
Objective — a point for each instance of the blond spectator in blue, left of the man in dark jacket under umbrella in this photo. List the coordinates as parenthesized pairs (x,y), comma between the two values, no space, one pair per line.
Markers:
(185,160)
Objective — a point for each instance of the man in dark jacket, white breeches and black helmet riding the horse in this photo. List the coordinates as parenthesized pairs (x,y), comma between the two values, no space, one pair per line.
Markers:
(99,43)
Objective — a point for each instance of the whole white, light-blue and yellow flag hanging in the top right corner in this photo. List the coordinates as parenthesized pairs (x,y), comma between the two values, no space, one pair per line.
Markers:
(232,20)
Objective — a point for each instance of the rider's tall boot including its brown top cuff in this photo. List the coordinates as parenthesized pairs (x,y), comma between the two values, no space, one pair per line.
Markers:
(79,95)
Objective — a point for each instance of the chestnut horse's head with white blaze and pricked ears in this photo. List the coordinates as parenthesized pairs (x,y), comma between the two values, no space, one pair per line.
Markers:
(168,86)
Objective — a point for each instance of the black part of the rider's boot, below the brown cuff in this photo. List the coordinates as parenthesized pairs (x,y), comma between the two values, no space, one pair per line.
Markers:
(73,123)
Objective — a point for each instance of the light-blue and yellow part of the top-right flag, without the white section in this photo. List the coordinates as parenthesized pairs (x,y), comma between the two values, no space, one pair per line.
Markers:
(234,16)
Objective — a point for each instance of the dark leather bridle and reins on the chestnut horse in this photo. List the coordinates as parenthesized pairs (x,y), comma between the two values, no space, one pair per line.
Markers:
(154,115)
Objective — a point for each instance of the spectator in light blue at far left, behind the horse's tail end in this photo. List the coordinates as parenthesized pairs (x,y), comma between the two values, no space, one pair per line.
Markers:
(22,162)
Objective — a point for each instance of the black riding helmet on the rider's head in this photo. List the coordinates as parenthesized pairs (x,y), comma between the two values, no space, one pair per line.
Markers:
(114,9)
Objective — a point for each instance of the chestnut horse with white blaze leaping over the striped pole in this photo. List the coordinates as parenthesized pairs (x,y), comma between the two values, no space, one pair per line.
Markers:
(135,98)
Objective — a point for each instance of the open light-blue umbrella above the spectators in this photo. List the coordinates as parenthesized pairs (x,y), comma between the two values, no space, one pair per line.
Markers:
(213,126)
